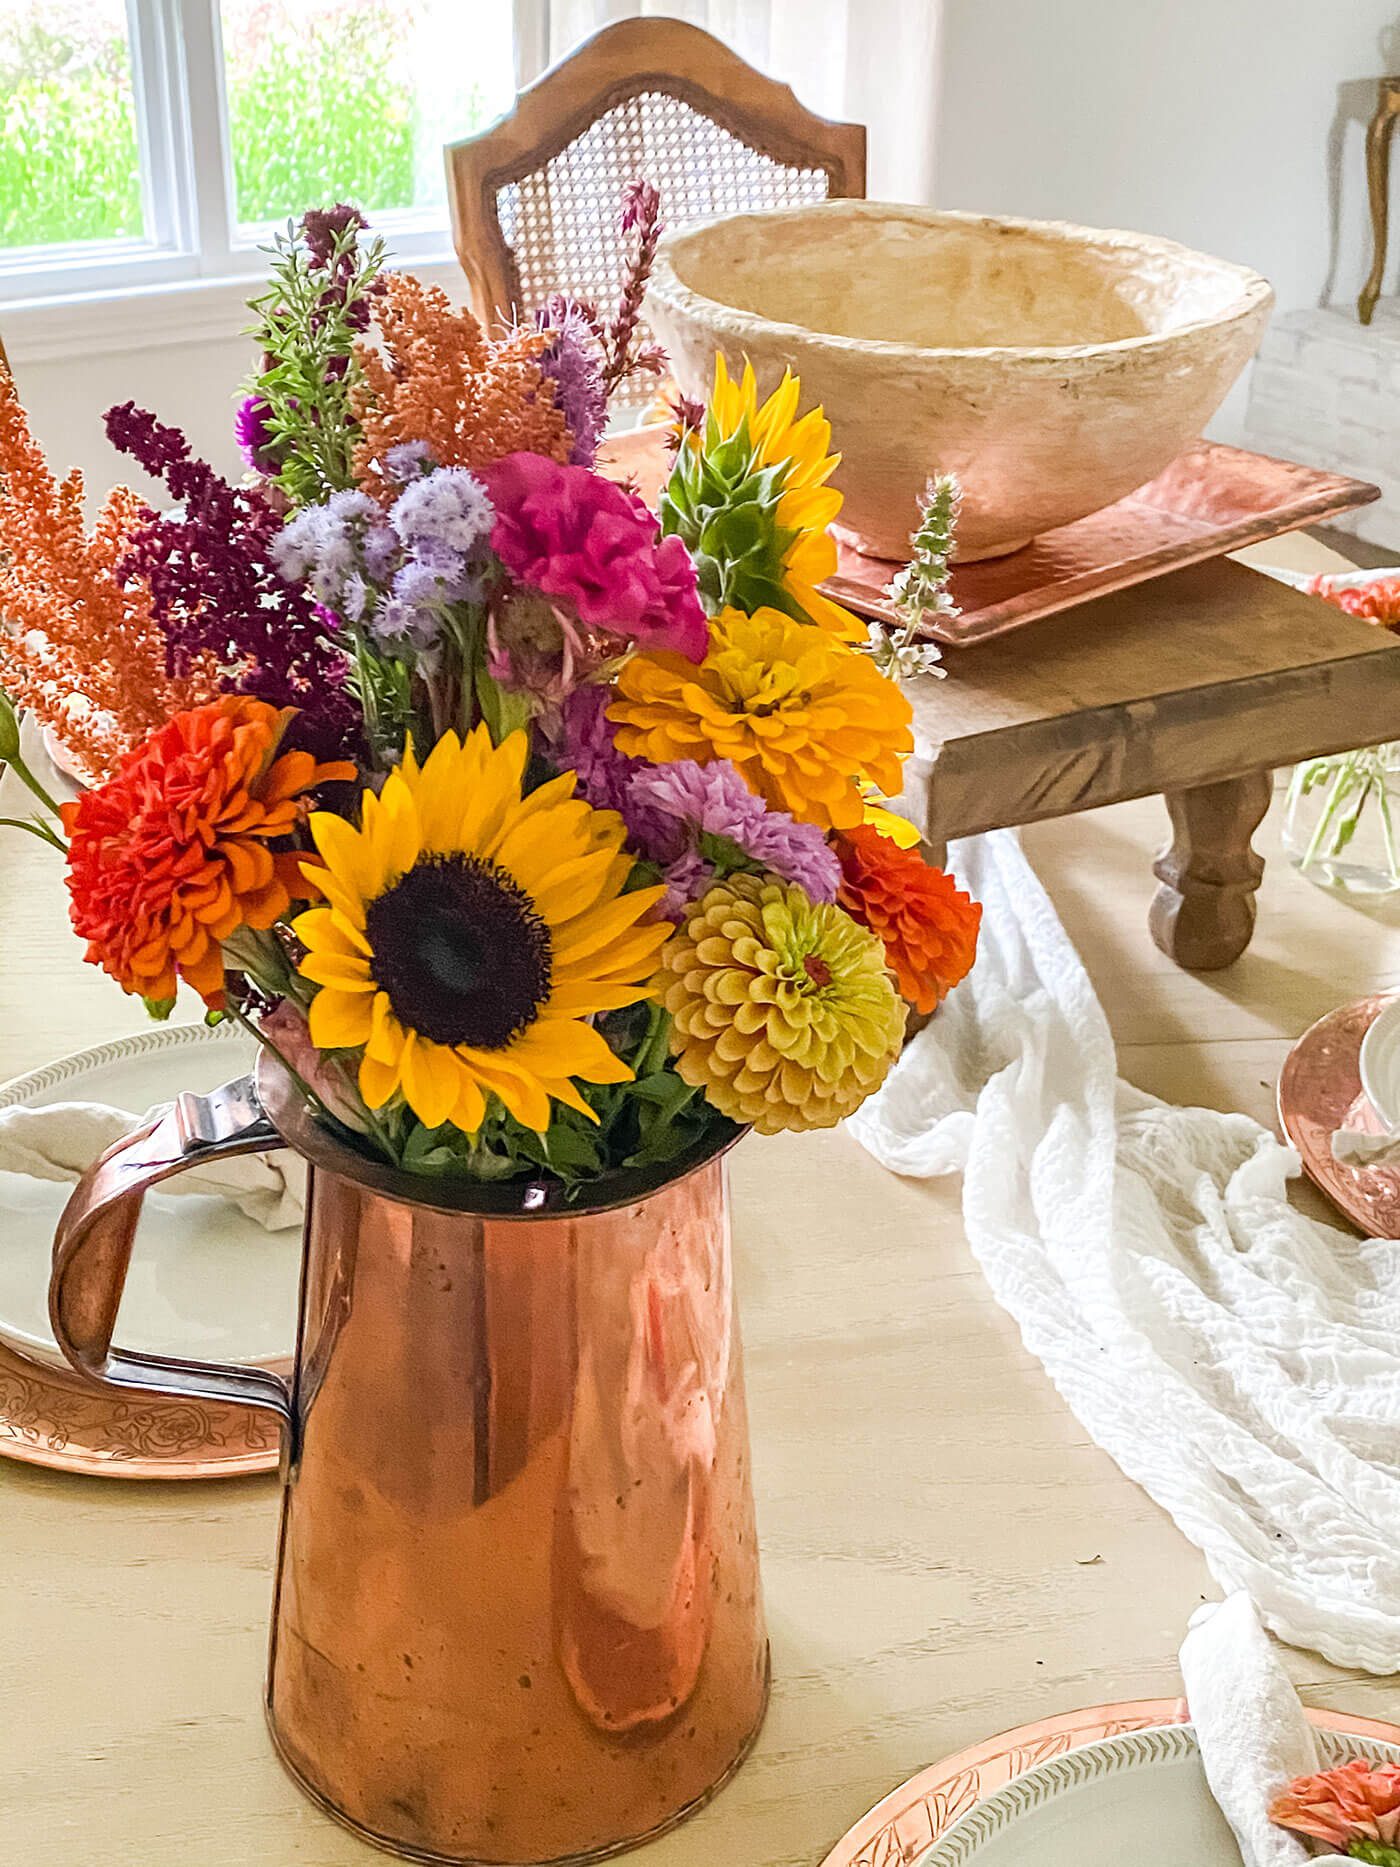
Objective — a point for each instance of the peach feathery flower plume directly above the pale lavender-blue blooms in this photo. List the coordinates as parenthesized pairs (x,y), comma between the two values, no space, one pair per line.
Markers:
(440,380)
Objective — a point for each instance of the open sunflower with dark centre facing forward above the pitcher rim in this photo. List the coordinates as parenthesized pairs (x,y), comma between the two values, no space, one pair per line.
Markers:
(469,934)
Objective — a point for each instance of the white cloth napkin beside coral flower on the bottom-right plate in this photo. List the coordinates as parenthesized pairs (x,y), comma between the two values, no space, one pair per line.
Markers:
(1250,1726)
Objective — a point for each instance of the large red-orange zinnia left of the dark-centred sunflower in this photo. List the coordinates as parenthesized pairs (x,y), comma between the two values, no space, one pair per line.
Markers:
(173,854)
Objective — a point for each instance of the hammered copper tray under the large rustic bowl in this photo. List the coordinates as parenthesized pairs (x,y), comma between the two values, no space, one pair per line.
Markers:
(1212,499)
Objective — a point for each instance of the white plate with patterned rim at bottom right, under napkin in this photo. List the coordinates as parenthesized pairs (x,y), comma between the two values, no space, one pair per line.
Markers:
(1119,1801)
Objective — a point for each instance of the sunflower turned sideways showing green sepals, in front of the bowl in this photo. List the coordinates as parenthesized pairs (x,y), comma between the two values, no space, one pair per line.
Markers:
(749,496)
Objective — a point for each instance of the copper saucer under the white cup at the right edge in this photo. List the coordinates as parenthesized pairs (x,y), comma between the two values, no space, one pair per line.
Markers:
(1319,1093)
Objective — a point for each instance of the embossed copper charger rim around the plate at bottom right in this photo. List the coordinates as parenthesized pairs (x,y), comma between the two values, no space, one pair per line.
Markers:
(921,1812)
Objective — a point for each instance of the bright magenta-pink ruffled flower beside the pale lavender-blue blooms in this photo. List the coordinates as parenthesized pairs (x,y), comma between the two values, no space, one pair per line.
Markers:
(585,542)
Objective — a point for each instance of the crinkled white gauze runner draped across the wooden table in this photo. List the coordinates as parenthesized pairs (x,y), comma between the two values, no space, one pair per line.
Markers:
(1239,1360)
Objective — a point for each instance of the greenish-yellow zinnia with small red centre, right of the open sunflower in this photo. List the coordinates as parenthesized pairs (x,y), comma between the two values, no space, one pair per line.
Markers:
(783,1009)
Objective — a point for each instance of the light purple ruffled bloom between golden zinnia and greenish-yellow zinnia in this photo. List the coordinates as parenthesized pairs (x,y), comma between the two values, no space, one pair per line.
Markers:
(714,802)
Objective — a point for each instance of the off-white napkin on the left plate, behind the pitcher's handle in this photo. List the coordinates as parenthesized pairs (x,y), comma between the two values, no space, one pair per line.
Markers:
(64,1140)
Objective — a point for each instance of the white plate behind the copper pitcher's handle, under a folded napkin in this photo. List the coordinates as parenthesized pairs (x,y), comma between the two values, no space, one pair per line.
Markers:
(204,1280)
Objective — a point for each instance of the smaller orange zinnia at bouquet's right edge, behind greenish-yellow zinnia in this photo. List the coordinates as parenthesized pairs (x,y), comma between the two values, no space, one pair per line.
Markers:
(925,919)
